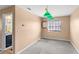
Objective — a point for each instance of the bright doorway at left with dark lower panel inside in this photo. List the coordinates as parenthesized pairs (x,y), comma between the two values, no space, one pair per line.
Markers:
(7,32)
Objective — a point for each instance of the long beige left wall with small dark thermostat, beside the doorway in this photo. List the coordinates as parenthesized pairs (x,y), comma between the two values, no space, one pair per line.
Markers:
(29,32)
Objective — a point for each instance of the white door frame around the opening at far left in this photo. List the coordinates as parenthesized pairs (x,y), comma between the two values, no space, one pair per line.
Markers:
(4,29)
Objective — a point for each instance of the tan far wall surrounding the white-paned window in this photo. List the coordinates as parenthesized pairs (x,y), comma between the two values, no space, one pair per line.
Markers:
(64,34)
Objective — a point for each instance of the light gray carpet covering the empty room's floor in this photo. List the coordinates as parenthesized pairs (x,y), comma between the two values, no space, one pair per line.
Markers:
(46,46)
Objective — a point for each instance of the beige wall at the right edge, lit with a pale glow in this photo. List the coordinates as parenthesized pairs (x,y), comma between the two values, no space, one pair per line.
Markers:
(74,28)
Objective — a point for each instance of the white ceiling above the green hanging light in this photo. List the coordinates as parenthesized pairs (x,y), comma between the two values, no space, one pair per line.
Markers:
(56,10)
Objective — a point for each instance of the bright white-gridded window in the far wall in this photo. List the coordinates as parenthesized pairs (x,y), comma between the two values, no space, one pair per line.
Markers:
(54,25)
